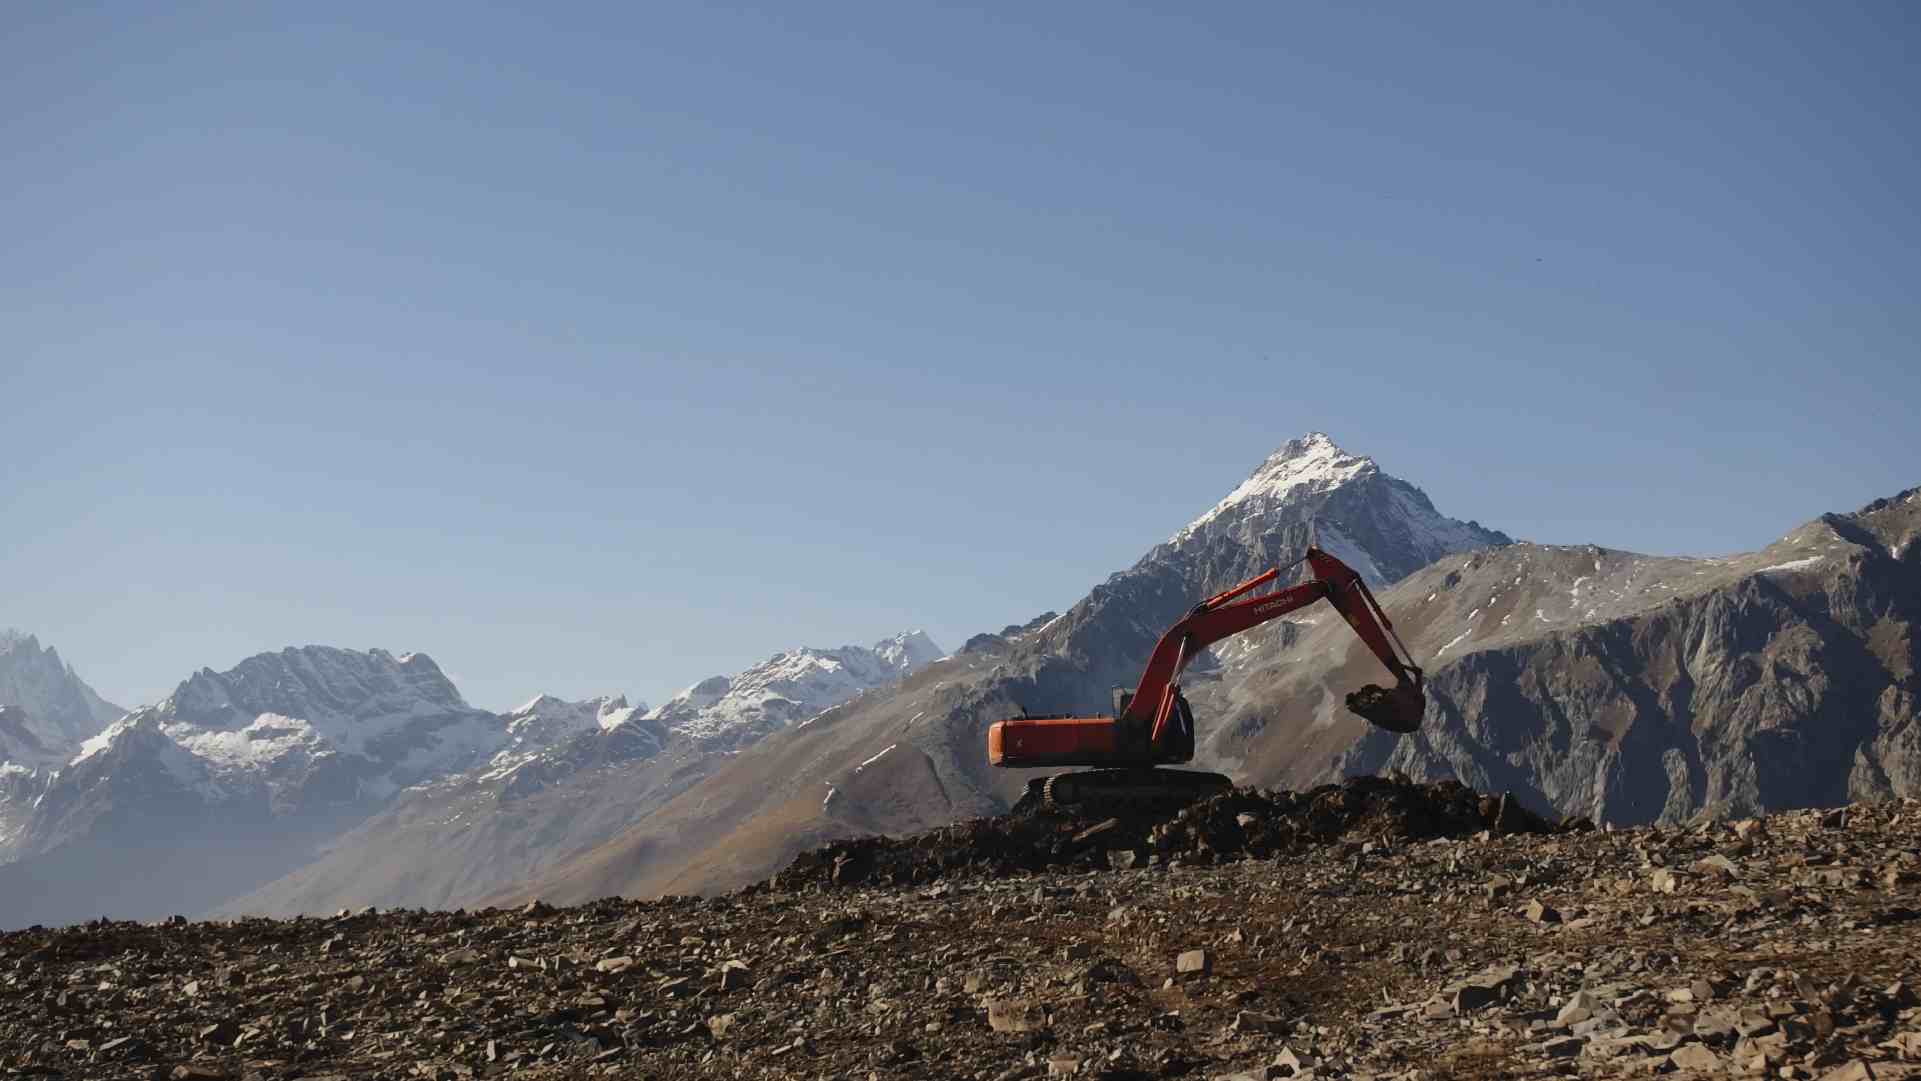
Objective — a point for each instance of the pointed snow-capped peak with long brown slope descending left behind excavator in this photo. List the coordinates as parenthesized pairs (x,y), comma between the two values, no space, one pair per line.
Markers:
(913,757)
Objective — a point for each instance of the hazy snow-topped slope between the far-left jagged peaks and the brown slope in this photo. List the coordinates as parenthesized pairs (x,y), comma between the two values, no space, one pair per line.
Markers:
(472,834)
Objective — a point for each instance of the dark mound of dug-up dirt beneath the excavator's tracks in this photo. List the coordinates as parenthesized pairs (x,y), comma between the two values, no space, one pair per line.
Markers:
(1234,825)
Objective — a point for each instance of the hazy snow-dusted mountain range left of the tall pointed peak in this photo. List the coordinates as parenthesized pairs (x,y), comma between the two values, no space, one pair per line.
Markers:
(293,759)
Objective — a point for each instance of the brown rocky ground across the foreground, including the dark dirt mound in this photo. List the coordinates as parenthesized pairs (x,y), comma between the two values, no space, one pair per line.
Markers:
(1369,930)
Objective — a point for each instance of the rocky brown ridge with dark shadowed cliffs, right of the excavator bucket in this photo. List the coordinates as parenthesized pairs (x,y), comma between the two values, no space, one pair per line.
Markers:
(1653,690)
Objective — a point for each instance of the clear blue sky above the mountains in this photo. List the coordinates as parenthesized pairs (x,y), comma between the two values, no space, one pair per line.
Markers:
(610,348)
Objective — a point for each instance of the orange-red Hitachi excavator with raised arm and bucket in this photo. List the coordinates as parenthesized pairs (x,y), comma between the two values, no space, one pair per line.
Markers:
(1154,727)
